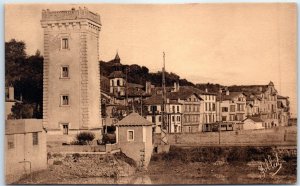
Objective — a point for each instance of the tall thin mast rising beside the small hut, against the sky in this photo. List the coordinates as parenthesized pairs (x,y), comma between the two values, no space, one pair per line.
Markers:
(164,139)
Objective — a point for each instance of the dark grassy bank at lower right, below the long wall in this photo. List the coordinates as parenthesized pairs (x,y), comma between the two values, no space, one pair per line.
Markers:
(220,165)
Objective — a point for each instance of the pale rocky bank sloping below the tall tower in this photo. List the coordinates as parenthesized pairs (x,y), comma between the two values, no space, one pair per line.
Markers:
(70,168)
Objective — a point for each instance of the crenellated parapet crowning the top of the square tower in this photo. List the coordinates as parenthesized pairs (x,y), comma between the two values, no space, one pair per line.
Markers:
(72,14)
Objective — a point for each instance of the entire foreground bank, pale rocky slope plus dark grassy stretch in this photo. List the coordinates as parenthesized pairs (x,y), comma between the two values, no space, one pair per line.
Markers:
(196,165)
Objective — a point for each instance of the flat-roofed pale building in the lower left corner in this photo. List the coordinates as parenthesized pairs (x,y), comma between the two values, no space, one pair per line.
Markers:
(25,148)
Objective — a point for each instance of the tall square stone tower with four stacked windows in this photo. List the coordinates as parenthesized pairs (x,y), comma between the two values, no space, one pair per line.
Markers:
(71,92)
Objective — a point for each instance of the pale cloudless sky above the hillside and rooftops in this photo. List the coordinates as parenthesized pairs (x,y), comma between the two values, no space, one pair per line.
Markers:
(217,43)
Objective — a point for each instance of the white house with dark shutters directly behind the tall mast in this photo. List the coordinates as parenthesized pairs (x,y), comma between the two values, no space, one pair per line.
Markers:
(173,114)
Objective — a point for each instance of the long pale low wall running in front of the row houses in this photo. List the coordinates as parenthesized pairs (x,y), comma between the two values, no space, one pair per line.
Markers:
(279,135)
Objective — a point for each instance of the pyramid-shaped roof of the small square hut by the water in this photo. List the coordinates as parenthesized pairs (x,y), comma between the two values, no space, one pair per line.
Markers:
(133,119)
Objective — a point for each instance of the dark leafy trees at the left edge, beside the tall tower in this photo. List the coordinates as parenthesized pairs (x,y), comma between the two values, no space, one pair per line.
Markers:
(25,73)
